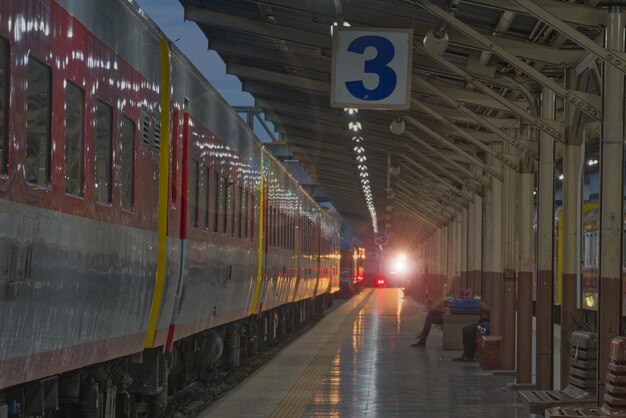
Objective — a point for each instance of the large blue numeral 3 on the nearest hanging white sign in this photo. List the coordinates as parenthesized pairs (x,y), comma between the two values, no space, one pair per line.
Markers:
(387,79)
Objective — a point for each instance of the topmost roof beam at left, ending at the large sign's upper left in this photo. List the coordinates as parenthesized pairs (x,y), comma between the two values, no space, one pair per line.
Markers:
(224,20)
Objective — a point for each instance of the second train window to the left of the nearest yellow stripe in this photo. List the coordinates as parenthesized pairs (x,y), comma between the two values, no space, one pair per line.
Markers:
(104,152)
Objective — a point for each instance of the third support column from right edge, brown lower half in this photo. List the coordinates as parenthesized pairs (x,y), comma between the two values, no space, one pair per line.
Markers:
(545,232)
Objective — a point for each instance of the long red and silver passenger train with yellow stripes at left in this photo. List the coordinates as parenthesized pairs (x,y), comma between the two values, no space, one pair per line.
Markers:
(145,232)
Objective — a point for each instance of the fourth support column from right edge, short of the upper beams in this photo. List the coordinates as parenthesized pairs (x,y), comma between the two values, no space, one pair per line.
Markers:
(526,267)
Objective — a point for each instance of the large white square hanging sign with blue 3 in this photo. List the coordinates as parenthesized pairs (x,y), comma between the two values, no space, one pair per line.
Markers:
(372,68)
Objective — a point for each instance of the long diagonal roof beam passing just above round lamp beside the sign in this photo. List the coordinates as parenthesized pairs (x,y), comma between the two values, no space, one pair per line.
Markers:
(587,103)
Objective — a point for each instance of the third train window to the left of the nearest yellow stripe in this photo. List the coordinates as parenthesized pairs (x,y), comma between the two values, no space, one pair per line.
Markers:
(74,139)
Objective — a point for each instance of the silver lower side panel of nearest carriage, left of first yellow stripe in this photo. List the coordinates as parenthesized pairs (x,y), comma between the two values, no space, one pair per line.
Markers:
(70,282)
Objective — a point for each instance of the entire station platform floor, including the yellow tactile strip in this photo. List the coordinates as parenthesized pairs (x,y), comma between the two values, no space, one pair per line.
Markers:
(358,362)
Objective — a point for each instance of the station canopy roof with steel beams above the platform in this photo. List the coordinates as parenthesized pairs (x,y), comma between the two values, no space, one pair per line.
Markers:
(474,108)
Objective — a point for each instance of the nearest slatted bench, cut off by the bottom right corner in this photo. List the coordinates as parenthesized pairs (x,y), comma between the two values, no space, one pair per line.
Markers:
(615,396)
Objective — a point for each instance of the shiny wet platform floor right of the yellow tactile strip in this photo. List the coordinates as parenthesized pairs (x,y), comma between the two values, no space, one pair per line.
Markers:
(376,373)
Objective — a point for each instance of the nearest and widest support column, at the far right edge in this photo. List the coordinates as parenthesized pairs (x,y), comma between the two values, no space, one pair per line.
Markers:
(611,200)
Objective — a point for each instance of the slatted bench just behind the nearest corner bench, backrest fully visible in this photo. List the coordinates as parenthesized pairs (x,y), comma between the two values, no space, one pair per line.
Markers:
(582,387)
